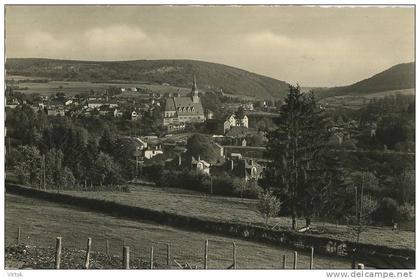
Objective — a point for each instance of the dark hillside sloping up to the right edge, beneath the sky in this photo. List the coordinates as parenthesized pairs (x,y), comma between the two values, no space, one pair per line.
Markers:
(398,77)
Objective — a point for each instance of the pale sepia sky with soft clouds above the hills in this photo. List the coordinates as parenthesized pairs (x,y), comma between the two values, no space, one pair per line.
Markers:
(312,46)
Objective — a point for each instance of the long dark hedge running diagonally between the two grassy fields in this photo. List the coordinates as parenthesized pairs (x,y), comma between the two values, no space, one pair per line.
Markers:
(377,256)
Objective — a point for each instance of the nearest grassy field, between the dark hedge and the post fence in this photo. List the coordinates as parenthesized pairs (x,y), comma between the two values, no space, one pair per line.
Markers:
(42,221)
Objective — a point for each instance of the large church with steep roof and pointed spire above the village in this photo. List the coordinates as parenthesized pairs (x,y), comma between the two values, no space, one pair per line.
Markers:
(181,110)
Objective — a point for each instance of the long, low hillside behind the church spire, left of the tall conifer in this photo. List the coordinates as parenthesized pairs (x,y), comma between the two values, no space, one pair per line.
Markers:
(174,72)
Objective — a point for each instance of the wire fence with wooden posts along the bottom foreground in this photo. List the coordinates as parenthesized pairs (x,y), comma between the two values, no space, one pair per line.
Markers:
(105,252)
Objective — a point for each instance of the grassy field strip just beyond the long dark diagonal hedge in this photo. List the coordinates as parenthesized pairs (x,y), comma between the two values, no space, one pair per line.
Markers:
(200,205)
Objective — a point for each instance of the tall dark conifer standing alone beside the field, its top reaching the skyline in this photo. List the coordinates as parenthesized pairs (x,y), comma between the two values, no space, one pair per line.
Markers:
(296,150)
